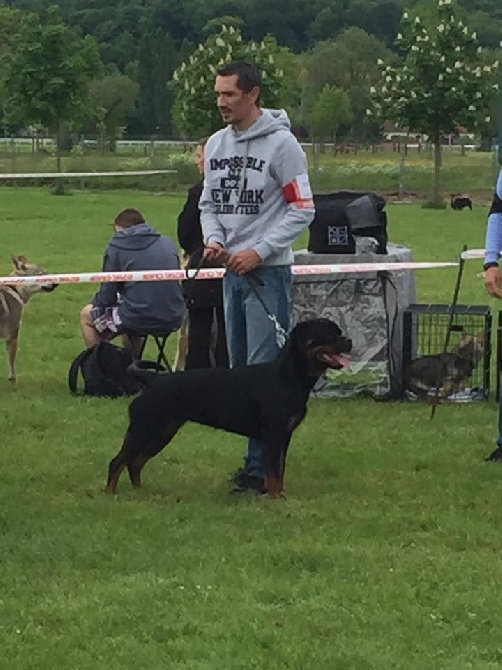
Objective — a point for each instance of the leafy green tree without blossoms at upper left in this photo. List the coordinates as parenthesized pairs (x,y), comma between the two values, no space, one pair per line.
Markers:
(49,72)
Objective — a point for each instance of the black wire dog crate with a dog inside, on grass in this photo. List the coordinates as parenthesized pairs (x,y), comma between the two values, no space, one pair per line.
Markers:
(424,334)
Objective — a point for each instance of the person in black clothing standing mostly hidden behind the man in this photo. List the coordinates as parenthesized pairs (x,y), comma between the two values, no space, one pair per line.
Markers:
(204,296)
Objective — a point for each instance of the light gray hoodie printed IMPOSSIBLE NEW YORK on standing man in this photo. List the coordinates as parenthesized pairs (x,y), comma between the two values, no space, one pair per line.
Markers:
(256,189)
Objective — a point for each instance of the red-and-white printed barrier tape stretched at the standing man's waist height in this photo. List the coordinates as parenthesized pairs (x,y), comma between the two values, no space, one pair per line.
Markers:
(208,273)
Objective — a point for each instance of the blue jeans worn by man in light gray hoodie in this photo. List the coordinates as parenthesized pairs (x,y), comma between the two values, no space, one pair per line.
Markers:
(251,335)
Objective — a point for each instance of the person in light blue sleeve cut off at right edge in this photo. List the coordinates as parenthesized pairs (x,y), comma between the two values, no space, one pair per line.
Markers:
(493,279)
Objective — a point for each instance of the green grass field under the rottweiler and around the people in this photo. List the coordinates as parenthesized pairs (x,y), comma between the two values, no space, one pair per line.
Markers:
(385,554)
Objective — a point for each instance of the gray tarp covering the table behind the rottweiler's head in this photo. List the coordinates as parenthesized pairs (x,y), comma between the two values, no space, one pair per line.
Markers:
(369,309)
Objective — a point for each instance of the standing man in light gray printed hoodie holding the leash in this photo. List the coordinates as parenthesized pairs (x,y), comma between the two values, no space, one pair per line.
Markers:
(256,201)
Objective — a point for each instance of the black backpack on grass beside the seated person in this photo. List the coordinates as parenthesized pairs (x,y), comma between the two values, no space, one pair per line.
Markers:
(104,372)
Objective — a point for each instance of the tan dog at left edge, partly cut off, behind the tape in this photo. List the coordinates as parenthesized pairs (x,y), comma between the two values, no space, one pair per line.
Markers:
(12,302)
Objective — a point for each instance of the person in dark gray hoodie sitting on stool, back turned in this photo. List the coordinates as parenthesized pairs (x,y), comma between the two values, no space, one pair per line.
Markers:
(121,308)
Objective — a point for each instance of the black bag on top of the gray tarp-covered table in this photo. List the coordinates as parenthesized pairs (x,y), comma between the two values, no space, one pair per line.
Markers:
(341,216)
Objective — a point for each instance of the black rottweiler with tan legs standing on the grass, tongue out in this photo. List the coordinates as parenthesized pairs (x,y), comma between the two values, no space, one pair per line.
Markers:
(266,401)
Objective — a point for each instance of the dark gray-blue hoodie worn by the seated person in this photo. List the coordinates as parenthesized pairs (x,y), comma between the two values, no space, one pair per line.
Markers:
(145,306)
